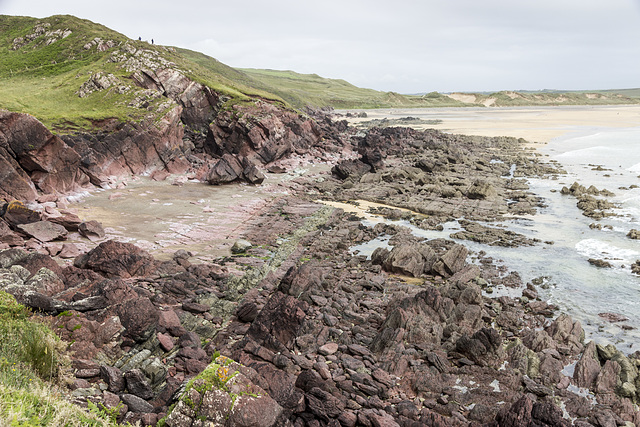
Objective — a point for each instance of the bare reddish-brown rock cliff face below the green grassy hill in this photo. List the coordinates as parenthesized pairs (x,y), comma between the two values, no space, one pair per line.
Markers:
(192,134)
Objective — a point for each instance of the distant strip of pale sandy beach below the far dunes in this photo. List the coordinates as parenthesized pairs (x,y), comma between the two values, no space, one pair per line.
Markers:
(535,124)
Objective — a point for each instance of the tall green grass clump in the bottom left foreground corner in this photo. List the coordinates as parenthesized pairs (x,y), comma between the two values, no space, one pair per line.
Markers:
(30,366)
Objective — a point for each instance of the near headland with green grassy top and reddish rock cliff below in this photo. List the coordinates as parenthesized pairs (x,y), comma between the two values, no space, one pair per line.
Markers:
(155,109)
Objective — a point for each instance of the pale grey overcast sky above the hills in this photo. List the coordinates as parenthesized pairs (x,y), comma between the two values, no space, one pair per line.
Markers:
(406,46)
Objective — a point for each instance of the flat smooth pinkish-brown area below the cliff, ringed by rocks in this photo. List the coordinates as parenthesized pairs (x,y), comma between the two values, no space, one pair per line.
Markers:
(163,218)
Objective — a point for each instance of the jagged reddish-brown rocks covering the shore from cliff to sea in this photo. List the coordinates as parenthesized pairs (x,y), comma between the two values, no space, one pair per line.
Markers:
(294,329)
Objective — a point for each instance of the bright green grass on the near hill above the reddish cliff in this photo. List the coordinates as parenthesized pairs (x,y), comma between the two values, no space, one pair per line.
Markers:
(42,79)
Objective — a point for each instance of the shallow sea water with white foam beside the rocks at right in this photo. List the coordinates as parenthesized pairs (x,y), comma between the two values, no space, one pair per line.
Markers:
(608,159)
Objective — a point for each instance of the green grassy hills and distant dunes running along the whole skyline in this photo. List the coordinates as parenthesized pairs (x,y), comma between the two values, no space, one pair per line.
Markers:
(71,73)
